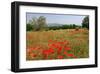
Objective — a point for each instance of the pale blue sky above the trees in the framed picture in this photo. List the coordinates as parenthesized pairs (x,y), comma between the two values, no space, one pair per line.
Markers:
(58,18)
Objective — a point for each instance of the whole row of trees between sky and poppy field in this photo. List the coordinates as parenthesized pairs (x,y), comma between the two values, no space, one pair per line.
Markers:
(38,24)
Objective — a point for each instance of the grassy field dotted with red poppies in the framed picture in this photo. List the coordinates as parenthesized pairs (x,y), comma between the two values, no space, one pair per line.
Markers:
(57,44)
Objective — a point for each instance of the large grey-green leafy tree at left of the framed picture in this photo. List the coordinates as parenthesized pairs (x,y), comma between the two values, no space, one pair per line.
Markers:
(37,24)
